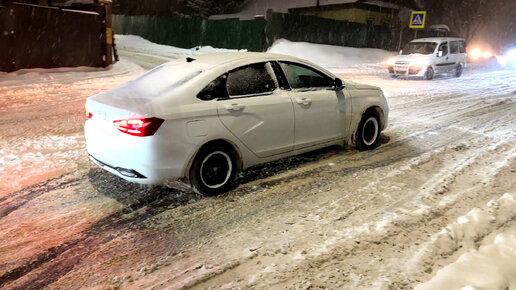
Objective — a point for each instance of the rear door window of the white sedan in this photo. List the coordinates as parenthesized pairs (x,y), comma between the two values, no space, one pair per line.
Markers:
(251,80)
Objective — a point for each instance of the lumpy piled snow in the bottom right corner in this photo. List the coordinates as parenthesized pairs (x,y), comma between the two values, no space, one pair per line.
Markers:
(493,265)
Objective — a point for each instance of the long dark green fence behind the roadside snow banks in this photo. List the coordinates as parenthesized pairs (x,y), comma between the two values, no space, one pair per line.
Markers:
(254,35)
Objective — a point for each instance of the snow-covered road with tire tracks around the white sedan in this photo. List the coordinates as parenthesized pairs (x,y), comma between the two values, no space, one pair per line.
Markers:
(434,206)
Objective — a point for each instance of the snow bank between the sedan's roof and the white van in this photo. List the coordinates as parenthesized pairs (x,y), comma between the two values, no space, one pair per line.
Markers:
(329,55)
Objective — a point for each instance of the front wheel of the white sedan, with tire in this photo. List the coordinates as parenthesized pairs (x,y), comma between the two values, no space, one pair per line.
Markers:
(368,132)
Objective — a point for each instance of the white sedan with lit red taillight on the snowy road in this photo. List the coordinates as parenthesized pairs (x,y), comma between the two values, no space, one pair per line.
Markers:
(200,120)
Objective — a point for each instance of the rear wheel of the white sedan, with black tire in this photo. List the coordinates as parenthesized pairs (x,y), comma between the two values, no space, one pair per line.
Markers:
(213,170)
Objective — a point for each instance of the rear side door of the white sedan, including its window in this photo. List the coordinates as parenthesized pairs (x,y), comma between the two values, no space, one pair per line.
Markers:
(258,113)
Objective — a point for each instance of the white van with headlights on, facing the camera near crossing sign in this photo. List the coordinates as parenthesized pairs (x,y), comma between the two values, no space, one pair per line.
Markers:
(426,57)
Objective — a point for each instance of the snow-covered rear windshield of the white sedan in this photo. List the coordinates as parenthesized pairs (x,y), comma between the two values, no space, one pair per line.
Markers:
(164,78)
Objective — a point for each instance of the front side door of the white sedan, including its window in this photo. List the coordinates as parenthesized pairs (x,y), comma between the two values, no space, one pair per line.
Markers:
(319,110)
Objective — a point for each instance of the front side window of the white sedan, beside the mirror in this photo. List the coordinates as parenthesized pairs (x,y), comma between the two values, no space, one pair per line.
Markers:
(300,77)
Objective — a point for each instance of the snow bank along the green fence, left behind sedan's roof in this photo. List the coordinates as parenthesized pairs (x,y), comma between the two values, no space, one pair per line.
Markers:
(138,44)
